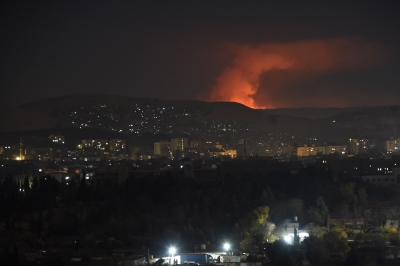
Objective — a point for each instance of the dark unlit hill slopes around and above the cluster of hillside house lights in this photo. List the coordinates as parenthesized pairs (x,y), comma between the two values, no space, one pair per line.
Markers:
(330,123)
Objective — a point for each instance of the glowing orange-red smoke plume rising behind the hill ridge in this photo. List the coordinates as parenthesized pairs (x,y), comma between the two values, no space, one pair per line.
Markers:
(240,81)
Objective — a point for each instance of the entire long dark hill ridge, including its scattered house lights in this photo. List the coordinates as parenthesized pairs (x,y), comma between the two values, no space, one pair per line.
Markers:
(220,120)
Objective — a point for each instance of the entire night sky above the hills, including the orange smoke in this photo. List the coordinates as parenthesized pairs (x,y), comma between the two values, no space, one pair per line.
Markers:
(289,54)
